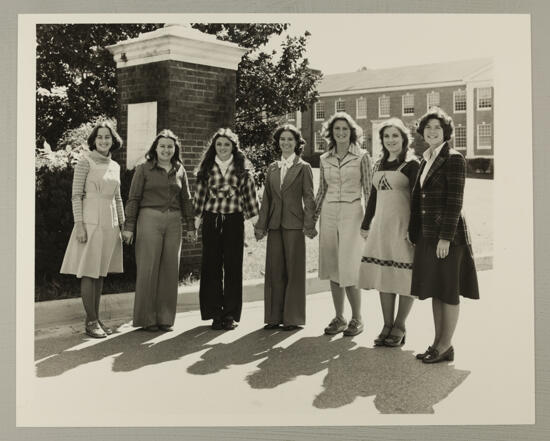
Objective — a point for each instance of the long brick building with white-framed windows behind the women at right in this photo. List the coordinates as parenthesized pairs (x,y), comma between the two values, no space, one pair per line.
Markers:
(464,89)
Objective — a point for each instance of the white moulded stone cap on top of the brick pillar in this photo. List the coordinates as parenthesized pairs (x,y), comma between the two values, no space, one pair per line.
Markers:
(177,42)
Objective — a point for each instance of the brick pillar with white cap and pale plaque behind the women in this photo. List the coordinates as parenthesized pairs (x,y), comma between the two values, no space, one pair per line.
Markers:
(176,78)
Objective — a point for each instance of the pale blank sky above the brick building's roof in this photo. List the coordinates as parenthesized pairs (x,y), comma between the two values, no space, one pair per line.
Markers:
(345,42)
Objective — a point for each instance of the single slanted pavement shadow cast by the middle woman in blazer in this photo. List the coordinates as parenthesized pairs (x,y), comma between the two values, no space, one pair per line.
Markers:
(254,346)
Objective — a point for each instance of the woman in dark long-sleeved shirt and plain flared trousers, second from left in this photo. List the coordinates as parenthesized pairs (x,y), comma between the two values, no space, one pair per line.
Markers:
(158,203)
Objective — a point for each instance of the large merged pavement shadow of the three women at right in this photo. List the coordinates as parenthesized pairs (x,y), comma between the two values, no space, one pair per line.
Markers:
(398,381)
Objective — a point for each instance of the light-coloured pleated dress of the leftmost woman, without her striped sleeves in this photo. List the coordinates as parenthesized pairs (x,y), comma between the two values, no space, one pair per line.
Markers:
(102,252)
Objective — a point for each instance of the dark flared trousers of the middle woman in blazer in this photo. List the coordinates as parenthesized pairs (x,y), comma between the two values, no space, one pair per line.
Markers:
(285,277)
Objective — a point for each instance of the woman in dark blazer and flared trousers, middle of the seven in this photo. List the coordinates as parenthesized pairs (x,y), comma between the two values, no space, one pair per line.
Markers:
(286,216)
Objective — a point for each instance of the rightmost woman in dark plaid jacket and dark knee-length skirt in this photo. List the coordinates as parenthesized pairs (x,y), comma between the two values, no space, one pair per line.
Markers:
(443,267)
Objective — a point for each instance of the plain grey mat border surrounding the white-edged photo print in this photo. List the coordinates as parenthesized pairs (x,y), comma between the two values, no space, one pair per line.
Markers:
(541,133)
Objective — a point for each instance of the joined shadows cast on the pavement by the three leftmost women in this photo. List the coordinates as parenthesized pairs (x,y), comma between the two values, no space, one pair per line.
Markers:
(132,348)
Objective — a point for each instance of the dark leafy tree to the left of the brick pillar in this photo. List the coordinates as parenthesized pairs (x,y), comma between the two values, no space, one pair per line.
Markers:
(76,74)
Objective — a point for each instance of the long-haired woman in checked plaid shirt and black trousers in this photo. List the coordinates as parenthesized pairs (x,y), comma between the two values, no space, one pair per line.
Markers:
(225,196)
